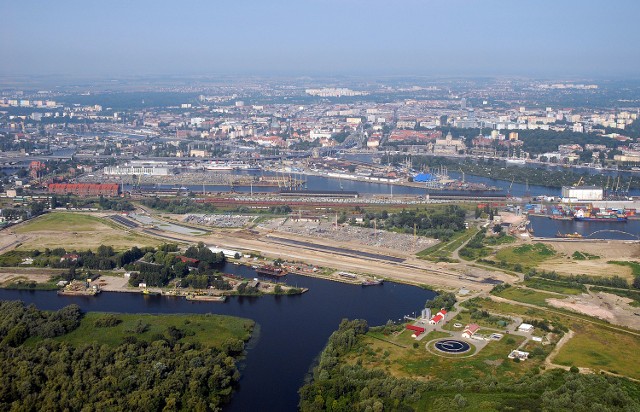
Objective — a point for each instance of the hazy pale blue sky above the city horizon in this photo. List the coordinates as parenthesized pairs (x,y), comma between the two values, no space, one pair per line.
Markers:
(403,37)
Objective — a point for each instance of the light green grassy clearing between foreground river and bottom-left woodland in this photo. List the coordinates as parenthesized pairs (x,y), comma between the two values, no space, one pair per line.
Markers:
(209,330)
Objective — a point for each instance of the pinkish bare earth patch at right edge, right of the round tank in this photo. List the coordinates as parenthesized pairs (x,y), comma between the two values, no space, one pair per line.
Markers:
(612,308)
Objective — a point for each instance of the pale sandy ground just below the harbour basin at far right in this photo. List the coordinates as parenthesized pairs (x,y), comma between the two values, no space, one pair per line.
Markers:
(622,251)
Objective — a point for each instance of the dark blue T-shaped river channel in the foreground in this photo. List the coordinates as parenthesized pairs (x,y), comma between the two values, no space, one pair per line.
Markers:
(291,332)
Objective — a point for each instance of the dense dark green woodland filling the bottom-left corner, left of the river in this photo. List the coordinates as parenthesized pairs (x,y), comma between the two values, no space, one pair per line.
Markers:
(39,373)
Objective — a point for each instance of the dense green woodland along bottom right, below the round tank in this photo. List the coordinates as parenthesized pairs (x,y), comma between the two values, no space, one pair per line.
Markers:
(340,386)
